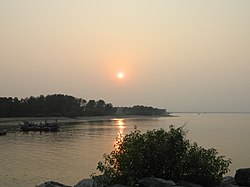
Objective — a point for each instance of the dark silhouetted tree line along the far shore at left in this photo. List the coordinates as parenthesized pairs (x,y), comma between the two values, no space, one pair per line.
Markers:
(59,105)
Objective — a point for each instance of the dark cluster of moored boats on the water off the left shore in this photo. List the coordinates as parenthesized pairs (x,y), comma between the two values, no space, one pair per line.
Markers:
(31,126)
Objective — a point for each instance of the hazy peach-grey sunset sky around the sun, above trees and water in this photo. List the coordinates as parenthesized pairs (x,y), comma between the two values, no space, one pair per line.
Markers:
(176,54)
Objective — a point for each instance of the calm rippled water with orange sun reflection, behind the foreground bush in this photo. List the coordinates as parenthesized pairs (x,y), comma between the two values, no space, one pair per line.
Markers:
(67,156)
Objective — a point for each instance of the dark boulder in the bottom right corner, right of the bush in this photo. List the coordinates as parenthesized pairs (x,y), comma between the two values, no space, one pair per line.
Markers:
(242,177)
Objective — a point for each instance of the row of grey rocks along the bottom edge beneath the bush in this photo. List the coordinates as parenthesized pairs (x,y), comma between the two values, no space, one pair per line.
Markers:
(241,178)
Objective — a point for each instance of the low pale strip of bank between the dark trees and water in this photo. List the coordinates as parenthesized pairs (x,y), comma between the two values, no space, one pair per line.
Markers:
(13,121)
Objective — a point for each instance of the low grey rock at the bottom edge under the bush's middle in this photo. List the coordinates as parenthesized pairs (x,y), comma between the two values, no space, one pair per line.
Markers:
(156,182)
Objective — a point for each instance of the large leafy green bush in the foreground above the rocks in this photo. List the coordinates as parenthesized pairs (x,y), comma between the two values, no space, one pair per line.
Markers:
(162,154)
